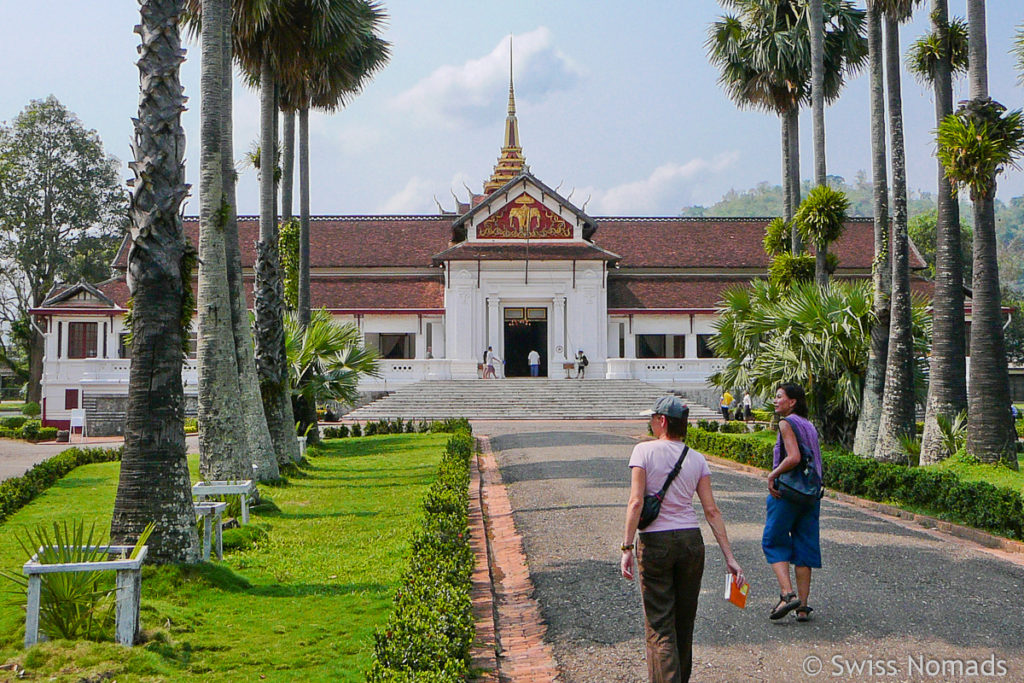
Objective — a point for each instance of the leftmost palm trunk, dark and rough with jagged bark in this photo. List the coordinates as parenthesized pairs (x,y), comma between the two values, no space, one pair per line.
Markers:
(154,485)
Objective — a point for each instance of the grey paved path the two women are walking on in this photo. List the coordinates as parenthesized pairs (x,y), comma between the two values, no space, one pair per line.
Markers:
(891,604)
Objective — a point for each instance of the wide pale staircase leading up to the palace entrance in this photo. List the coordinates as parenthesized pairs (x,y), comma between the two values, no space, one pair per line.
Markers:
(522,399)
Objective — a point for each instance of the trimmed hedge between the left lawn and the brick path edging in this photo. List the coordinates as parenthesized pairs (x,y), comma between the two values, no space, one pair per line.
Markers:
(431,631)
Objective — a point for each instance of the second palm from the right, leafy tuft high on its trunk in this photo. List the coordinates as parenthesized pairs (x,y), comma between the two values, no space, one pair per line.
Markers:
(935,59)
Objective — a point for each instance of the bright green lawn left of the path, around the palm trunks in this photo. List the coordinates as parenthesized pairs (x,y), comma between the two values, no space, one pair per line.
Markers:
(302,605)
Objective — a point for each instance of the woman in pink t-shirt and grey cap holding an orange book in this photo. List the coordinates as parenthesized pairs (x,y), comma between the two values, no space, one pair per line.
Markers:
(671,553)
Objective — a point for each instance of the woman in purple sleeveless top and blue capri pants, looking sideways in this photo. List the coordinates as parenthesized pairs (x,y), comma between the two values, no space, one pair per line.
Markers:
(791,535)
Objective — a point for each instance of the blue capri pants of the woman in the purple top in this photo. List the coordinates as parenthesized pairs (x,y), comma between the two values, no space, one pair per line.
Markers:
(792,534)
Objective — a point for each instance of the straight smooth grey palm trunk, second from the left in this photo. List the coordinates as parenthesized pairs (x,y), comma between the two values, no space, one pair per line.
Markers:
(222,438)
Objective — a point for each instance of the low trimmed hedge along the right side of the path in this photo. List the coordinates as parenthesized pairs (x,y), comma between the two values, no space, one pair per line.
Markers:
(978,504)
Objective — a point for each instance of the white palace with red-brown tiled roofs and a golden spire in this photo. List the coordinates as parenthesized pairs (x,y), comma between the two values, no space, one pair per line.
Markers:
(519,269)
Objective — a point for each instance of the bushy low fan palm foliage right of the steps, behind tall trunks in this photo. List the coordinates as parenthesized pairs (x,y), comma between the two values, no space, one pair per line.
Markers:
(818,337)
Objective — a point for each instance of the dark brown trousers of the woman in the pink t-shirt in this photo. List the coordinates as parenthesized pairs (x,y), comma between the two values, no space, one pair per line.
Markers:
(671,568)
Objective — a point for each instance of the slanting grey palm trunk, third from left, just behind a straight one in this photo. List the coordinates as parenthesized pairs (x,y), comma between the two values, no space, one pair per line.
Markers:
(261,447)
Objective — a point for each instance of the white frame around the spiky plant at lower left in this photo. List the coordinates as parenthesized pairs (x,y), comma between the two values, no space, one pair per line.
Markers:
(130,589)
